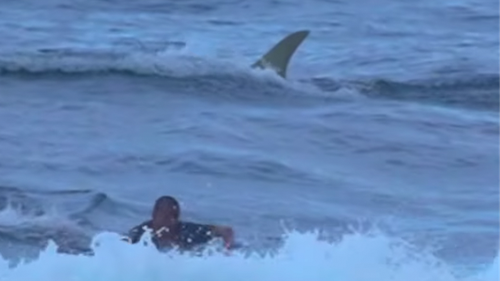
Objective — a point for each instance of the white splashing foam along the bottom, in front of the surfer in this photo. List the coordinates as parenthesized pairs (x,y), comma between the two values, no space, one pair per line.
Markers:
(303,258)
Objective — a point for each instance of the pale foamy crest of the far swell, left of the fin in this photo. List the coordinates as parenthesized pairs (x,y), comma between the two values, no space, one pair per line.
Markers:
(174,63)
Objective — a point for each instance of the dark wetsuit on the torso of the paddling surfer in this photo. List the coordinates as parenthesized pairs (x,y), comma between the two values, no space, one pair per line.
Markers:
(189,234)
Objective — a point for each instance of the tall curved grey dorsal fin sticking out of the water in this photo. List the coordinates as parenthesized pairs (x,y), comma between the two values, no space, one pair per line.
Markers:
(279,56)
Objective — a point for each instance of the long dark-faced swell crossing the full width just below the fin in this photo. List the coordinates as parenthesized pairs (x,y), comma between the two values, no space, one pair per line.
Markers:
(222,79)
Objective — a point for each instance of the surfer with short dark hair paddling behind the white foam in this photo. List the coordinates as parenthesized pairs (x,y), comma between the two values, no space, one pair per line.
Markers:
(168,230)
